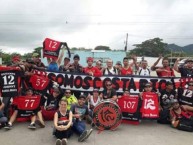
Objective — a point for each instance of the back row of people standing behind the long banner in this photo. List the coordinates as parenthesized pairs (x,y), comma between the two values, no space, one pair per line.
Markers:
(125,68)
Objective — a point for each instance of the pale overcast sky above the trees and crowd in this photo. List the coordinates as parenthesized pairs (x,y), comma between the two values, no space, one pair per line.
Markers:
(24,24)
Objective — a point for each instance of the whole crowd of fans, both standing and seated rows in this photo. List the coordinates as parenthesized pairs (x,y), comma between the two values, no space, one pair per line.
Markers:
(71,111)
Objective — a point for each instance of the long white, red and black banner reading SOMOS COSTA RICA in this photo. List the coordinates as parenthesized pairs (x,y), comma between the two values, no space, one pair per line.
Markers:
(134,83)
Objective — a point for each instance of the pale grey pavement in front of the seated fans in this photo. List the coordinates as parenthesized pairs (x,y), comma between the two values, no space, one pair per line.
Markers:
(147,133)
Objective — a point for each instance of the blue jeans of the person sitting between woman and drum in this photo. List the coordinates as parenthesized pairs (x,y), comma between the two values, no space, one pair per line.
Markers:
(79,127)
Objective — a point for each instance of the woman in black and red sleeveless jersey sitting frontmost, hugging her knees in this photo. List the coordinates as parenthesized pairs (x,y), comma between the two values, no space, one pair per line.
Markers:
(62,123)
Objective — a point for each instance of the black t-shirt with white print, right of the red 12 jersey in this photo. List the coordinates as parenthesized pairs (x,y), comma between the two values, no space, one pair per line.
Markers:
(166,98)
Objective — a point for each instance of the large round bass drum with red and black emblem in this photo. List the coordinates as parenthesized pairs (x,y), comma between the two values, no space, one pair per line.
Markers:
(107,115)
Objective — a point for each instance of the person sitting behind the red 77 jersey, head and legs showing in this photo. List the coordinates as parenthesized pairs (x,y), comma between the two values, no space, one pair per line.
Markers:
(29,92)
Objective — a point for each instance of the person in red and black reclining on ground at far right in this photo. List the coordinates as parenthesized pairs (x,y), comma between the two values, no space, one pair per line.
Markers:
(181,116)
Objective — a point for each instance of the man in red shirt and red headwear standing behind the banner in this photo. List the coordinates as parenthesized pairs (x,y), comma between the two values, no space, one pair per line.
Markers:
(90,69)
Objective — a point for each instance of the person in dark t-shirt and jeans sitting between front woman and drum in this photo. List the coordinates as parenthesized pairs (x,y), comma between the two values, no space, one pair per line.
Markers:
(80,111)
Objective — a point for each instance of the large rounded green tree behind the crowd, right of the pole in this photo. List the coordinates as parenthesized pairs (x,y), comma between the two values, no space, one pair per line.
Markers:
(152,47)
